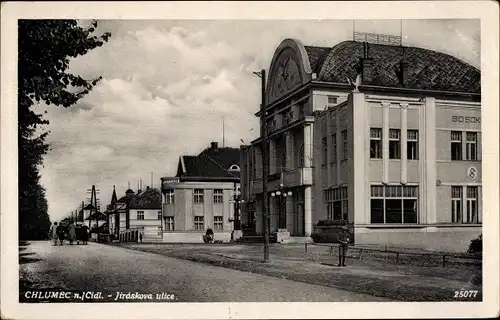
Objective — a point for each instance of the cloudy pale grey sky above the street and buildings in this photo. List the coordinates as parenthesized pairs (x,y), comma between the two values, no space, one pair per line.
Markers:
(168,84)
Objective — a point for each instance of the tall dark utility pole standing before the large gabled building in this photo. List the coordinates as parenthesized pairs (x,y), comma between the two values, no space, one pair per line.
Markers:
(265,163)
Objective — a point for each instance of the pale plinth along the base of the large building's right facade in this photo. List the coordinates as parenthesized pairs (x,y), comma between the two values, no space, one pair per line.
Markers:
(448,239)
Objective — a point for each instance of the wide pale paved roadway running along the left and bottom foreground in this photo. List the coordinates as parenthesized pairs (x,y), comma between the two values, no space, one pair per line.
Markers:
(108,269)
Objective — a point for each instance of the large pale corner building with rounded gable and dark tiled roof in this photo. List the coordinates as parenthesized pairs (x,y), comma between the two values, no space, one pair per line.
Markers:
(387,137)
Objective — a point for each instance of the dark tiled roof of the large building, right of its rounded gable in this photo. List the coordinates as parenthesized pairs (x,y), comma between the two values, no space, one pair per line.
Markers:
(427,69)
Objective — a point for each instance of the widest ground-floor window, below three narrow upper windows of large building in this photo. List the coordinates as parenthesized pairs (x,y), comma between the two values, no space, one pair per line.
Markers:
(394,204)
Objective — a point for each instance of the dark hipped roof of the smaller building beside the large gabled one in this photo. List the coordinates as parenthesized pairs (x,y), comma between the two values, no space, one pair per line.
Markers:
(211,163)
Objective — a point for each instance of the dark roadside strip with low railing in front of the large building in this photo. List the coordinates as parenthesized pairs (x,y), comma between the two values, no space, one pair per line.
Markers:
(367,276)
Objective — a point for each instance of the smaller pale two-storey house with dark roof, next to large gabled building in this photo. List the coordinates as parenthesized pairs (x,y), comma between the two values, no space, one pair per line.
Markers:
(200,196)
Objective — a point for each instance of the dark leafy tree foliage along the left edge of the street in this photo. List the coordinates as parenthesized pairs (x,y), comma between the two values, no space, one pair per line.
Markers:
(45,48)
